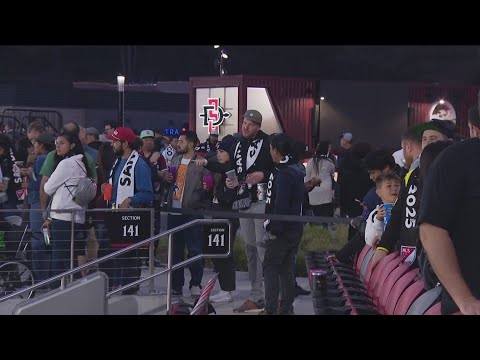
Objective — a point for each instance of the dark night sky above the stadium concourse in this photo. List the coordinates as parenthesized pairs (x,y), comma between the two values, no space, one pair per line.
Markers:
(459,64)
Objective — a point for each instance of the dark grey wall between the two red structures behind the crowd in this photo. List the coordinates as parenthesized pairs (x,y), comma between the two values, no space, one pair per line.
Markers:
(372,112)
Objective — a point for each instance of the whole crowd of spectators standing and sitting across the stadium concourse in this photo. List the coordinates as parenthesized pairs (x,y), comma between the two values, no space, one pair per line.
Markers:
(421,204)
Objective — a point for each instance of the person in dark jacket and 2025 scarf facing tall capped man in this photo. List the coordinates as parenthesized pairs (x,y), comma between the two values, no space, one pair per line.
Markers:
(285,190)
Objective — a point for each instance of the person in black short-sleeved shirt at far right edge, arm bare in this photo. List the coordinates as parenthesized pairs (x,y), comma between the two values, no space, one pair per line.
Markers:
(449,222)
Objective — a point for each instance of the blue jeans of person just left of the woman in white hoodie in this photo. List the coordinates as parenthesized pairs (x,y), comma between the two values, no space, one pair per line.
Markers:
(40,252)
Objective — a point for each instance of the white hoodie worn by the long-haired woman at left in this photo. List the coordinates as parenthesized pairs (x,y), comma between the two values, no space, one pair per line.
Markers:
(68,172)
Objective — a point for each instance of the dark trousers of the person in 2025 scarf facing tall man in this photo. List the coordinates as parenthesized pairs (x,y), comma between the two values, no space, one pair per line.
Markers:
(278,267)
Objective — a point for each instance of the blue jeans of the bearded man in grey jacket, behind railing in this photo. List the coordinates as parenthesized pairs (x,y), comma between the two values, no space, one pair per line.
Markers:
(190,237)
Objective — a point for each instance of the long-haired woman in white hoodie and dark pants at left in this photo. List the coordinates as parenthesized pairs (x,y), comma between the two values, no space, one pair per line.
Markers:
(70,166)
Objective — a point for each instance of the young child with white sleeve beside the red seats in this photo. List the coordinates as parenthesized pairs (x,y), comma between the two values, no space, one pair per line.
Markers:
(388,187)
